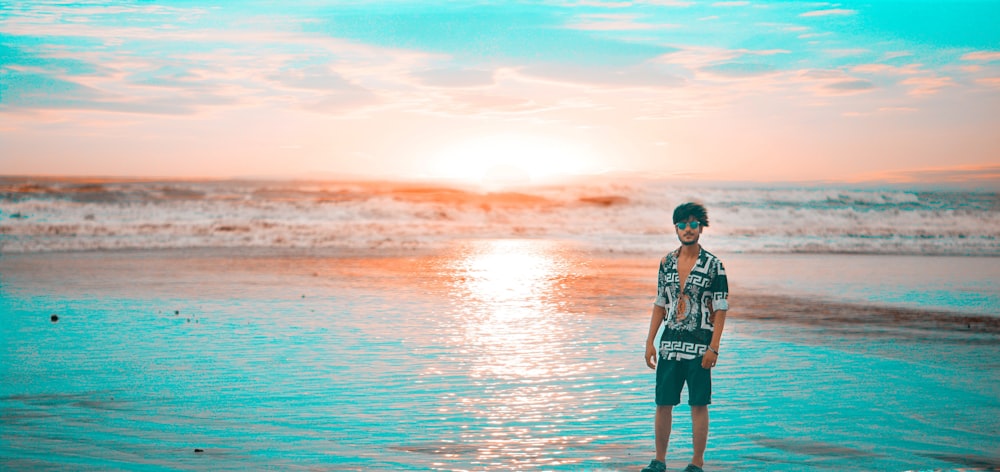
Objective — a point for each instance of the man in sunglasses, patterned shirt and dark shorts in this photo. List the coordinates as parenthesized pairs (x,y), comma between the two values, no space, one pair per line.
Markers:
(692,299)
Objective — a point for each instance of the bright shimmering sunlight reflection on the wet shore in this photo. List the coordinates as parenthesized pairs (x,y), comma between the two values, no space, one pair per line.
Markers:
(513,326)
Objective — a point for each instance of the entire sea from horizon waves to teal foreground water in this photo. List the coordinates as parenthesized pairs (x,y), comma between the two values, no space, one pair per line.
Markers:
(370,326)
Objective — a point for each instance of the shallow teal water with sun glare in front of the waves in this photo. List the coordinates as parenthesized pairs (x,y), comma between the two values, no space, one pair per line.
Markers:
(493,355)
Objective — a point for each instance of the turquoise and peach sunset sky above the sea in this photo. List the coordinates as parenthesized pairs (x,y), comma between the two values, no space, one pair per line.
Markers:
(763,91)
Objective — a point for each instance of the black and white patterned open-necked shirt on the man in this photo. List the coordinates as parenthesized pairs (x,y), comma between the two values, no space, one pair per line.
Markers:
(688,323)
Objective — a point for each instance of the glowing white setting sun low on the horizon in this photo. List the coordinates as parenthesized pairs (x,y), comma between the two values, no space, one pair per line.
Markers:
(507,160)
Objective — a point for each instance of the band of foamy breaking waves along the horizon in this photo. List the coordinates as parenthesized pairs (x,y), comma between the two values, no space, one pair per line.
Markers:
(38,215)
